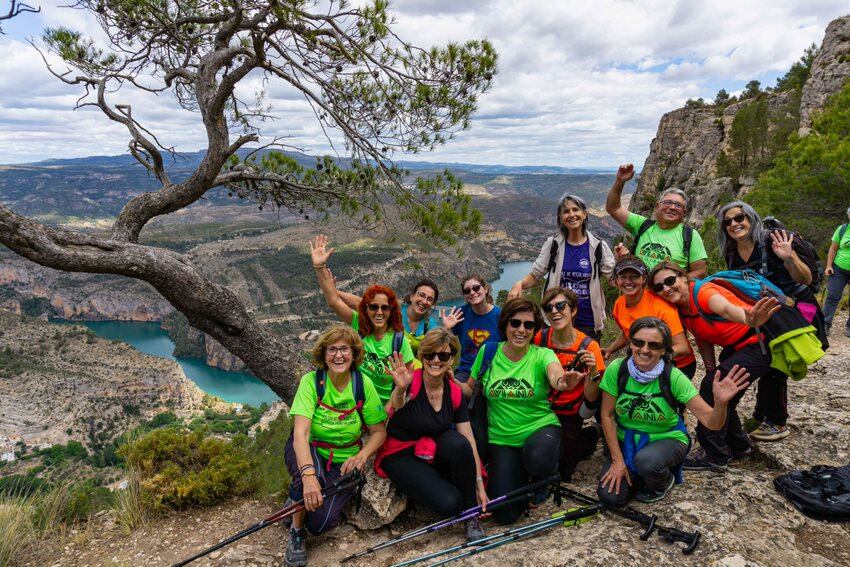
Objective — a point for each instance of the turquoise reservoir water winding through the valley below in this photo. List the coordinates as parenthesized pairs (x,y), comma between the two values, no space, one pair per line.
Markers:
(238,387)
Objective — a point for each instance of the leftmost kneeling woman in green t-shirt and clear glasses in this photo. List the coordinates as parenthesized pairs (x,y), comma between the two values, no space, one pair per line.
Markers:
(332,409)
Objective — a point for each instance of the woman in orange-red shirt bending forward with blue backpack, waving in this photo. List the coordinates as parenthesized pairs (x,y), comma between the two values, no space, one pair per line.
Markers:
(716,316)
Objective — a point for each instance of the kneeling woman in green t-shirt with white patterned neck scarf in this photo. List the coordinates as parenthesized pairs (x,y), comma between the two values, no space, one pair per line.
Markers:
(645,433)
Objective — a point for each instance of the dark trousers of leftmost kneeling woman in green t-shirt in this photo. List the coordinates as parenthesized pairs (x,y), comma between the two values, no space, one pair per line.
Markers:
(329,514)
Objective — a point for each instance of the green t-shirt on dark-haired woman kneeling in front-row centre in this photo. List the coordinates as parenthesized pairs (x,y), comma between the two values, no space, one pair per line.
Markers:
(517,403)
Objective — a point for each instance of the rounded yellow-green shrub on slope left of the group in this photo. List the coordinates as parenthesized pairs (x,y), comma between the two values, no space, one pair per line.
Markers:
(179,469)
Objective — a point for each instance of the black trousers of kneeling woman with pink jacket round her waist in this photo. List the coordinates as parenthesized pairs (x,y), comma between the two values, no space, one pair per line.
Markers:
(445,487)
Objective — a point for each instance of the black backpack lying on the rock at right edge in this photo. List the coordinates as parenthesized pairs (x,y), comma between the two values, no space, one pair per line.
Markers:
(822,493)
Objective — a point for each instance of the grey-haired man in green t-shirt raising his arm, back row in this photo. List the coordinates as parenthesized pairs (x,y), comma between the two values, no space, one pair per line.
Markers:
(665,238)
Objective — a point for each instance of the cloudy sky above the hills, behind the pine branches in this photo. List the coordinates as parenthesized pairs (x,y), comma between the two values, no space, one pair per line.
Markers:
(579,83)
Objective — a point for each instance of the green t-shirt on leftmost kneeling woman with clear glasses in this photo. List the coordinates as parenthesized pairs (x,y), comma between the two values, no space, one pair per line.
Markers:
(326,425)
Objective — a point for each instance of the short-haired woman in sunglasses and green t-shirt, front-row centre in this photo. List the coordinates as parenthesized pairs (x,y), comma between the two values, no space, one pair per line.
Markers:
(524,435)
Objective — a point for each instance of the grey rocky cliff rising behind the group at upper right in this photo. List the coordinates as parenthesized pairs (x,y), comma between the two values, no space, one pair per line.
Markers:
(685,149)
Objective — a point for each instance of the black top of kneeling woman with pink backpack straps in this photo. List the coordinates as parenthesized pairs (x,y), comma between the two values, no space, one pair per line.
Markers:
(418,419)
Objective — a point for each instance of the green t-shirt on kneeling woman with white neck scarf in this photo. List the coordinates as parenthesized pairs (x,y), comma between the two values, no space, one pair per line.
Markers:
(645,414)
